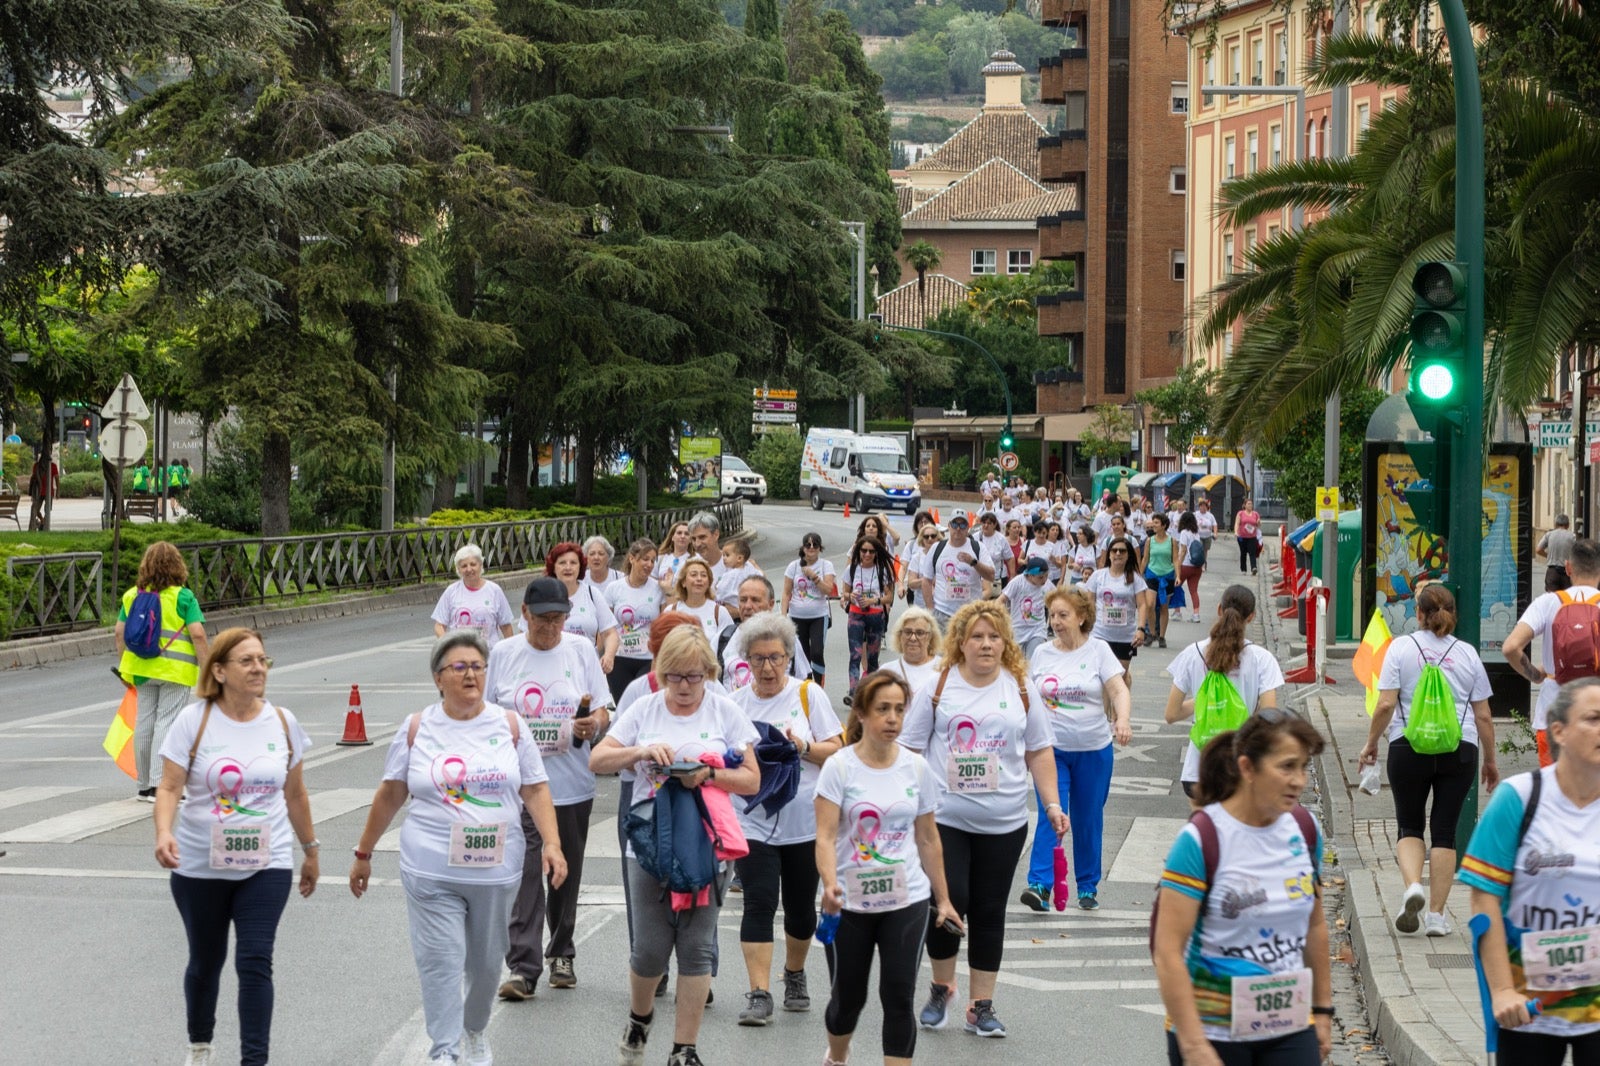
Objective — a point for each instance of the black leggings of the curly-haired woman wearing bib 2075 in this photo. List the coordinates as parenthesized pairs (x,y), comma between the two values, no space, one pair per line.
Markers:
(978,870)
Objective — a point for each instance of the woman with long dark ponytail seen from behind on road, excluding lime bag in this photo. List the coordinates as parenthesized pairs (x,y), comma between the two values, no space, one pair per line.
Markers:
(1247,667)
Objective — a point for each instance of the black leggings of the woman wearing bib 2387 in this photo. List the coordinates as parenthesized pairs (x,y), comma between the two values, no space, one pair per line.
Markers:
(897,937)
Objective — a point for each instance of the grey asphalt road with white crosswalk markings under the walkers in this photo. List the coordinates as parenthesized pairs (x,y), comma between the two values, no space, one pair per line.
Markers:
(95,948)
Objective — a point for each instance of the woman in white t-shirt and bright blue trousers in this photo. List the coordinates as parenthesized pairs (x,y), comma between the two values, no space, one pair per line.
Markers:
(1079,678)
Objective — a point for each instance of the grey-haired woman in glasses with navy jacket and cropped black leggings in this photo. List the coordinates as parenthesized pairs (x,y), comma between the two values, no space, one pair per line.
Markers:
(782,835)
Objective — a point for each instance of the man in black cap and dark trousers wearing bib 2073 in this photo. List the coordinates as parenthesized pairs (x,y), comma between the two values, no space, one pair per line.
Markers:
(548,678)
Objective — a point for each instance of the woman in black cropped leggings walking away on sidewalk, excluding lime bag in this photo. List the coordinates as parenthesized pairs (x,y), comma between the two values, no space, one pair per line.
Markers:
(1412,775)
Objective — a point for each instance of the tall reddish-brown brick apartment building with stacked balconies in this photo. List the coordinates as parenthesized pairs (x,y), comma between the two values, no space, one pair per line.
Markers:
(1124,89)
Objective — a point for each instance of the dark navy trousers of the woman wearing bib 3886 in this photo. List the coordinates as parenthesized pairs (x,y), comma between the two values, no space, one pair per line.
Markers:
(252,907)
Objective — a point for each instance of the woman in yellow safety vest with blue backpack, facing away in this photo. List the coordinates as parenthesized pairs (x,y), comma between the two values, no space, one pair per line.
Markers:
(166,681)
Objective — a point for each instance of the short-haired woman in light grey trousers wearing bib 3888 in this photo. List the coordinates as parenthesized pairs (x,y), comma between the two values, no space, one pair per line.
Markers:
(468,767)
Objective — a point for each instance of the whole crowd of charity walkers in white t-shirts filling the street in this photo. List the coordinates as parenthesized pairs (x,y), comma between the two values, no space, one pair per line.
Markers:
(890,832)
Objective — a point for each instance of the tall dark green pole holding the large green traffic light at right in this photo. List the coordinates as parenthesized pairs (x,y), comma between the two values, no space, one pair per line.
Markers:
(1466,460)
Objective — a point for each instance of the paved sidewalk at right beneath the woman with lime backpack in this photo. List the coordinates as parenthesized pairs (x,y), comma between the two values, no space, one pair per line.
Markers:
(1422,992)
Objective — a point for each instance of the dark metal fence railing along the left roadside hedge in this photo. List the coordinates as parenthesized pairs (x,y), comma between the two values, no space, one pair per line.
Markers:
(260,571)
